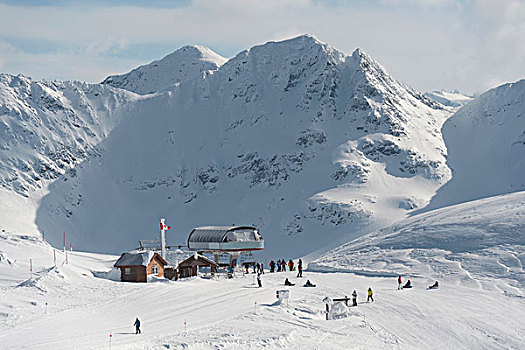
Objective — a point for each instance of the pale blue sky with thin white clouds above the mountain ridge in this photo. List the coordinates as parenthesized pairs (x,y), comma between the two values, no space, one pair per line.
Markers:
(470,45)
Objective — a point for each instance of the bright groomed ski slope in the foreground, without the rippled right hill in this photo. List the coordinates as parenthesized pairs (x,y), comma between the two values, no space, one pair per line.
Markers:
(84,310)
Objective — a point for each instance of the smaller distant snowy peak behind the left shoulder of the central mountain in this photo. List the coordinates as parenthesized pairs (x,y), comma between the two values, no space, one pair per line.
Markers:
(185,64)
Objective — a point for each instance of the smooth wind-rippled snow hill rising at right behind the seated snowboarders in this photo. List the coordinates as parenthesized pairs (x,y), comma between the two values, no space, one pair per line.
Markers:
(479,244)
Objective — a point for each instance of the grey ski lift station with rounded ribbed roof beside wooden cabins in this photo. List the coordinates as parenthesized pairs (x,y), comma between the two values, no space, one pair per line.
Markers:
(232,240)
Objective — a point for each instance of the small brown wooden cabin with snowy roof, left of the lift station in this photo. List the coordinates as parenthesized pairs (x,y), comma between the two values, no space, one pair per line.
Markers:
(136,266)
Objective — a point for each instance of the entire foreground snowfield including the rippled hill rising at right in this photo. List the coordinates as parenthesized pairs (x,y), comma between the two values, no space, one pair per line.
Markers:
(474,250)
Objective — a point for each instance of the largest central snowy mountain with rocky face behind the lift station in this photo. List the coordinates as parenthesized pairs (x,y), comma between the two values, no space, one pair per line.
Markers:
(308,143)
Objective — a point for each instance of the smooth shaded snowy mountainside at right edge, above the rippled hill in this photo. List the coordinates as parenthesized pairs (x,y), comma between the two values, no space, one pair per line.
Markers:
(486,147)
